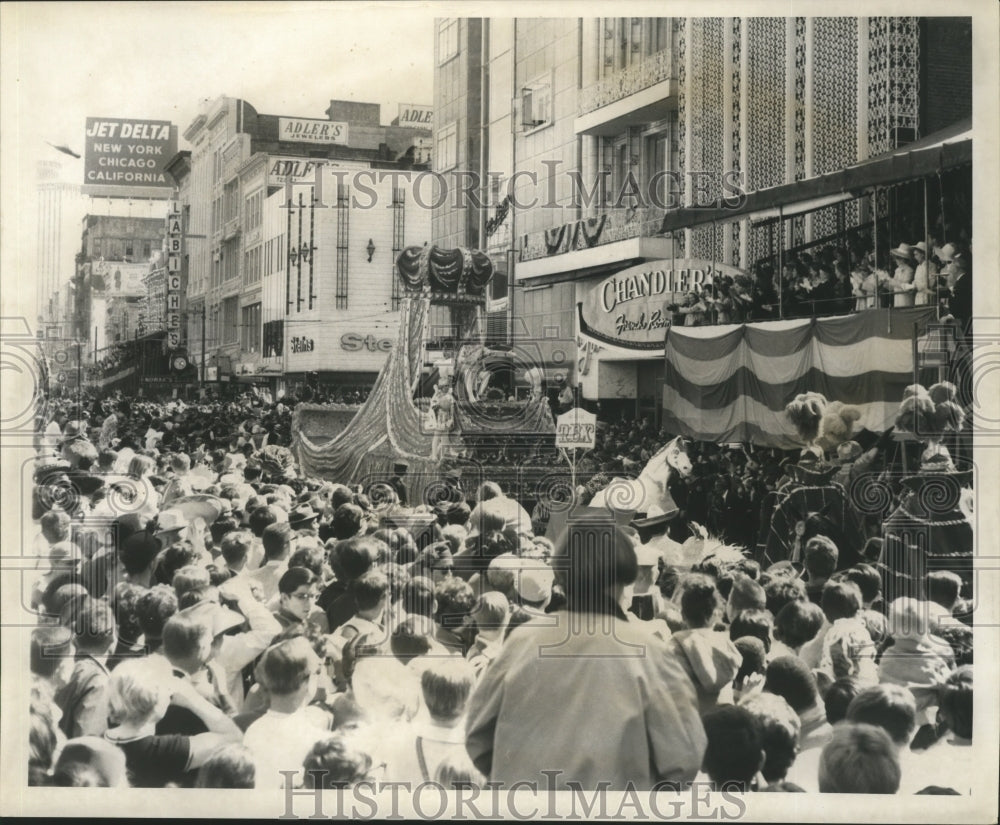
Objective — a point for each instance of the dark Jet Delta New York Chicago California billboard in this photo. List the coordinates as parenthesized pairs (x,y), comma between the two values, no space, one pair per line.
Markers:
(128,158)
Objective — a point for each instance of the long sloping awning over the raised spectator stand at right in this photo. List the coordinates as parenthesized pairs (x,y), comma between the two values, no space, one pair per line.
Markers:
(946,149)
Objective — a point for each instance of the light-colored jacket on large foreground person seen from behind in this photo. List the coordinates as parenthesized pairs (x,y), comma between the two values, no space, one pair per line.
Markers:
(602,703)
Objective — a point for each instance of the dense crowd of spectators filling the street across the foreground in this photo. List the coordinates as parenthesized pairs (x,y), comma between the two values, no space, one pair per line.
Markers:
(242,626)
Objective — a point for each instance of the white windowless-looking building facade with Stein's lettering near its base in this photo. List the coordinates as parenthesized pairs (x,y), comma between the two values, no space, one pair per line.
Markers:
(330,292)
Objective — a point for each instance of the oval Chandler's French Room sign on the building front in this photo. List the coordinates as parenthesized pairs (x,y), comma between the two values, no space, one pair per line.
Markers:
(629,309)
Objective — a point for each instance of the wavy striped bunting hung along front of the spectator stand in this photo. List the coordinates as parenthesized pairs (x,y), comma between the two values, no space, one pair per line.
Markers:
(732,383)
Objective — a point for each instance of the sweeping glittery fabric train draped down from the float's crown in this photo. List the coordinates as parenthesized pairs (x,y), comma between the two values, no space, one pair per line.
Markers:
(388,427)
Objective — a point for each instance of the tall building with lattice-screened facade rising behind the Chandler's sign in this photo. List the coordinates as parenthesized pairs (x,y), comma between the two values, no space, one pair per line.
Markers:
(591,132)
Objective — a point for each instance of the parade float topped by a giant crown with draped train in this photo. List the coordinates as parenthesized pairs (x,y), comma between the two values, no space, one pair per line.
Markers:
(474,419)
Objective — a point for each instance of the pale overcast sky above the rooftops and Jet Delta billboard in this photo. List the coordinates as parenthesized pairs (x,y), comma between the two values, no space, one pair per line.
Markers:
(64,62)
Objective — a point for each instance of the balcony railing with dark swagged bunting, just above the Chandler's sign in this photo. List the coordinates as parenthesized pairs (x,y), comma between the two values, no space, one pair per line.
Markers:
(613,224)
